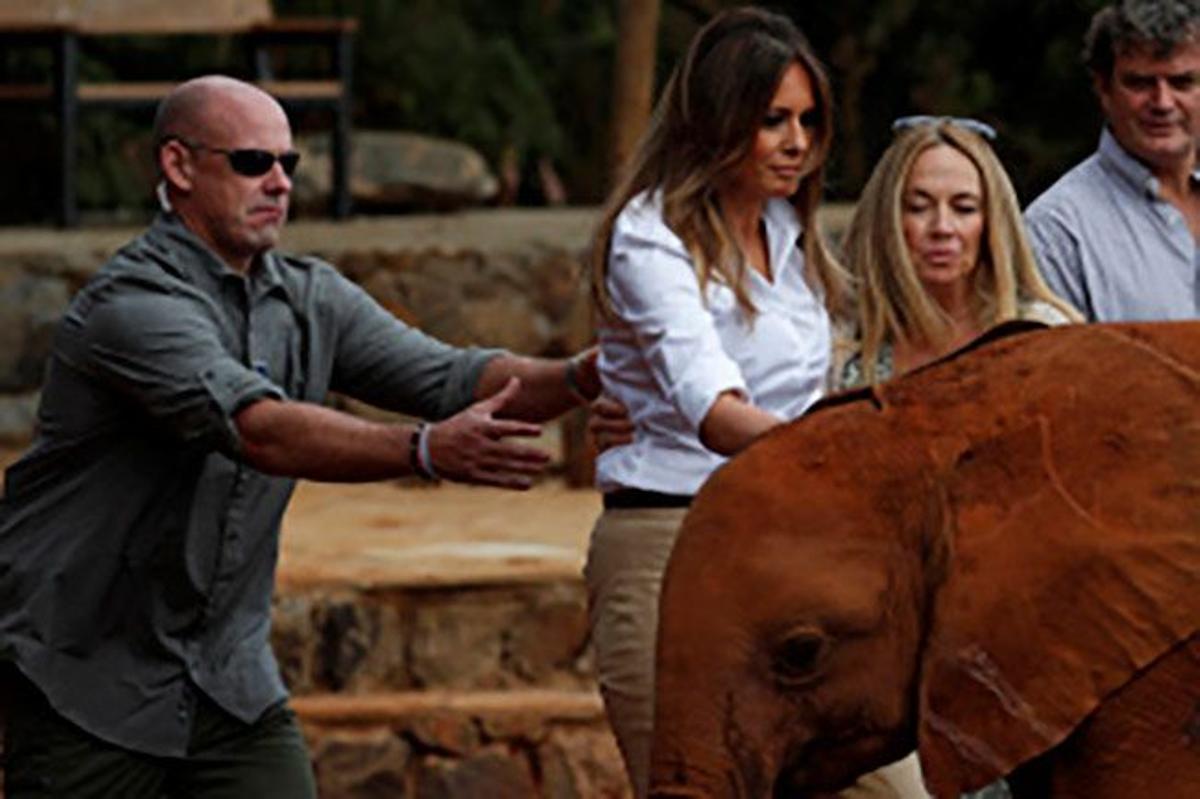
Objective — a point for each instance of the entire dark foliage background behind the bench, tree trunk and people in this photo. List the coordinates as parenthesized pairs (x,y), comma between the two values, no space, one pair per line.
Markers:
(532,80)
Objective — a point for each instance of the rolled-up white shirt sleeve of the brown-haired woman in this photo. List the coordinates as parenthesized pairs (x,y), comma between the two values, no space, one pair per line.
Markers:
(655,290)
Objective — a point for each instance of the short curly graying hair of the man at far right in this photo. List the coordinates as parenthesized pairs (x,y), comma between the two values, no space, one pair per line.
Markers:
(1157,26)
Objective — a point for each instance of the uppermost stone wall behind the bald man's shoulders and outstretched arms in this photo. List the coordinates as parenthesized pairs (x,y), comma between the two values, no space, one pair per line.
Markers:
(508,279)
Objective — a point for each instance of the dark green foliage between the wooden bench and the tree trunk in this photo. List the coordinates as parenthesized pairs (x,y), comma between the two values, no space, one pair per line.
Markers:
(505,79)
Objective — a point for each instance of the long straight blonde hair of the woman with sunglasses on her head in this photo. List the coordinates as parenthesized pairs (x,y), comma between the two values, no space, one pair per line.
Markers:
(892,303)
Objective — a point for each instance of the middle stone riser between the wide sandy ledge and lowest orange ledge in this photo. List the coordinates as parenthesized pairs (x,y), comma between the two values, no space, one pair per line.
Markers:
(452,638)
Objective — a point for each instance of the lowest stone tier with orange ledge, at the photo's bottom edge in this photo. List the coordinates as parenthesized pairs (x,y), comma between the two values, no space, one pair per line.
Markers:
(501,746)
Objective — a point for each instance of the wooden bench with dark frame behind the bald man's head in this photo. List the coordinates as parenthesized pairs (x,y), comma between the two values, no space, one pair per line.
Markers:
(64,26)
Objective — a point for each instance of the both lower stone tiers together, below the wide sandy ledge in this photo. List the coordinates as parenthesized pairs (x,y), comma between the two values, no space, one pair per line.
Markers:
(448,692)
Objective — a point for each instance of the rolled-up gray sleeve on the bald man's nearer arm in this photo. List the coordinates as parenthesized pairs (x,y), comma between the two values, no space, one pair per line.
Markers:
(164,352)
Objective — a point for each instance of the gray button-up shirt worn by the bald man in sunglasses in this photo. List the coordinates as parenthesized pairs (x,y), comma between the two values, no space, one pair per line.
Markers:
(137,550)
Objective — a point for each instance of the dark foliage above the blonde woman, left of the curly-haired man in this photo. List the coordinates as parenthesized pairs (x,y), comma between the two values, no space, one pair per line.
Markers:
(1011,63)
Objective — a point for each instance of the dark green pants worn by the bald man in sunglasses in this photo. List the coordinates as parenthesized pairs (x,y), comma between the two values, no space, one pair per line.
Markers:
(50,758)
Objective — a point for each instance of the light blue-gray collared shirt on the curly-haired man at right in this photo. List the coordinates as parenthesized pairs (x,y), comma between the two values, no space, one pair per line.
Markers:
(1112,247)
